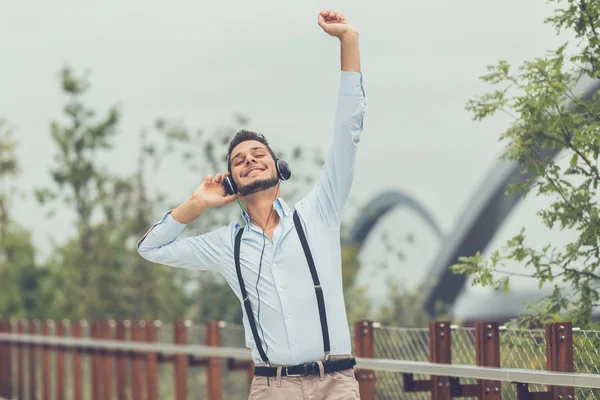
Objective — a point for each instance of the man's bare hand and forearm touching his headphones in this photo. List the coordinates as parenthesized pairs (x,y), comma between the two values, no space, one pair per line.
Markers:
(210,193)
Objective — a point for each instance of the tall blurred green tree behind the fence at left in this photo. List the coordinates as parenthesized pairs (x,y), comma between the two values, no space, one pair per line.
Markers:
(98,269)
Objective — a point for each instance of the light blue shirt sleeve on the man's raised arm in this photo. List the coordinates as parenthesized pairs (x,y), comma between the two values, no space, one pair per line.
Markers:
(330,194)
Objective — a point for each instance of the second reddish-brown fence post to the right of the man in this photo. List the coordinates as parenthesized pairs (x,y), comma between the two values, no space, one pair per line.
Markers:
(440,352)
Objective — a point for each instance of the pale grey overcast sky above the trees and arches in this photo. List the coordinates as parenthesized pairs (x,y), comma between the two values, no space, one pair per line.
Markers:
(201,61)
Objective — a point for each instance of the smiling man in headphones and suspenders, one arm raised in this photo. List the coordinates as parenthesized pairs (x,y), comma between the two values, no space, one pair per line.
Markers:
(284,264)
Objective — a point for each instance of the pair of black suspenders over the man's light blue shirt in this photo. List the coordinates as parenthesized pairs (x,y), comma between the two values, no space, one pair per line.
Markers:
(317,285)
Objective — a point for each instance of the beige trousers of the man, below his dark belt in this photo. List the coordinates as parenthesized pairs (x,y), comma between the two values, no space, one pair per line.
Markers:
(339,385)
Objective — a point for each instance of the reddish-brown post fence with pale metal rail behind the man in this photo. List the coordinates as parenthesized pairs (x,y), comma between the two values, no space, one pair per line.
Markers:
(141,360)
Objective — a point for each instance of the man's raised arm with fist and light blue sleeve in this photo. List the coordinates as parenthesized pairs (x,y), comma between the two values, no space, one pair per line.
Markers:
(330,194)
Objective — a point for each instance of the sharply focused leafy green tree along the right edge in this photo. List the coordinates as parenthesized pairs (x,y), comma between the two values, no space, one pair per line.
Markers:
(550,116)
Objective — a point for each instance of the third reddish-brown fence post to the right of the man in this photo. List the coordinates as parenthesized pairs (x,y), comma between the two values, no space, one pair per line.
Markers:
(487,354)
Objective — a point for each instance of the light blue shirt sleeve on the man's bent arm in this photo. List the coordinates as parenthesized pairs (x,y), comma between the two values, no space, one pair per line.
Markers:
(162,245)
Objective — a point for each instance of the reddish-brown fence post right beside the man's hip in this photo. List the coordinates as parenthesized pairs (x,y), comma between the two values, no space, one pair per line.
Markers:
(364,347)
